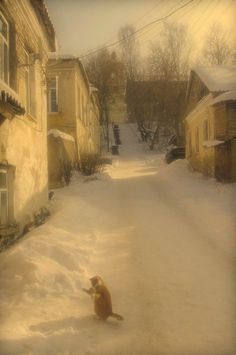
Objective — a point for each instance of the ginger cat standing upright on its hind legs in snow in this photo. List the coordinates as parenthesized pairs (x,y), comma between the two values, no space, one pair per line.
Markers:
(102,299)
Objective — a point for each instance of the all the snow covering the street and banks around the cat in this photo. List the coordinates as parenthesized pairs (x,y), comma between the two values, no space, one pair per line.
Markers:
(163,239)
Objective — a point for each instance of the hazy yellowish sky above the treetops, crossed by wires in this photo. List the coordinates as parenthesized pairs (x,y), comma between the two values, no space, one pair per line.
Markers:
(83,25)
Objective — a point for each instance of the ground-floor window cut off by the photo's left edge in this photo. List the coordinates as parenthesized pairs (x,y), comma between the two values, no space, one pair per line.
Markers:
(3,197)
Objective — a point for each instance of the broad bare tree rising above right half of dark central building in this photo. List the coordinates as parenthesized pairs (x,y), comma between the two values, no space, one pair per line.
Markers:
(169,56)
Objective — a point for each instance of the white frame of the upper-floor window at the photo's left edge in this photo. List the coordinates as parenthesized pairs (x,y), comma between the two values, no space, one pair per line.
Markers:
(5,41)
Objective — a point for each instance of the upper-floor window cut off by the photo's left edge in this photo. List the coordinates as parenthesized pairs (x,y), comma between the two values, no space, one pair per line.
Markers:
(4,49)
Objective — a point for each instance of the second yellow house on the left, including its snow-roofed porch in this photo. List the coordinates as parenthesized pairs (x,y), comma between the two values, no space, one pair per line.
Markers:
(73,109)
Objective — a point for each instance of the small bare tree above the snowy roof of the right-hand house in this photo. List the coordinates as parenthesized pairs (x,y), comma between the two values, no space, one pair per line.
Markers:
(216,49)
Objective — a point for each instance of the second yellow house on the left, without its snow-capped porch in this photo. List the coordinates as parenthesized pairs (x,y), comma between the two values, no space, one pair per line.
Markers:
(73,106)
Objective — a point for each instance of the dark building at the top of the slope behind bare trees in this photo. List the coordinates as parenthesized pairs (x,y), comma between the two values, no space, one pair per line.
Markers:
(158,103)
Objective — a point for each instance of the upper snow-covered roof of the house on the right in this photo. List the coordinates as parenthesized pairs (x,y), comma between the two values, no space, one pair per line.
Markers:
(218,78)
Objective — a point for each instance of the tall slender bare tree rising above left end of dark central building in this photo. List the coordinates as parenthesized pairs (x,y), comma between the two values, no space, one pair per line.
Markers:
(129,50)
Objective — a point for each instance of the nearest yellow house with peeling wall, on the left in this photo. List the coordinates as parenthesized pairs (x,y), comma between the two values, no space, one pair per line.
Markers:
(26,38)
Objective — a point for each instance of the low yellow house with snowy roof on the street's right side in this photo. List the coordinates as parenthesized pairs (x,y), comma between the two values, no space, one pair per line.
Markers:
(210,123)
